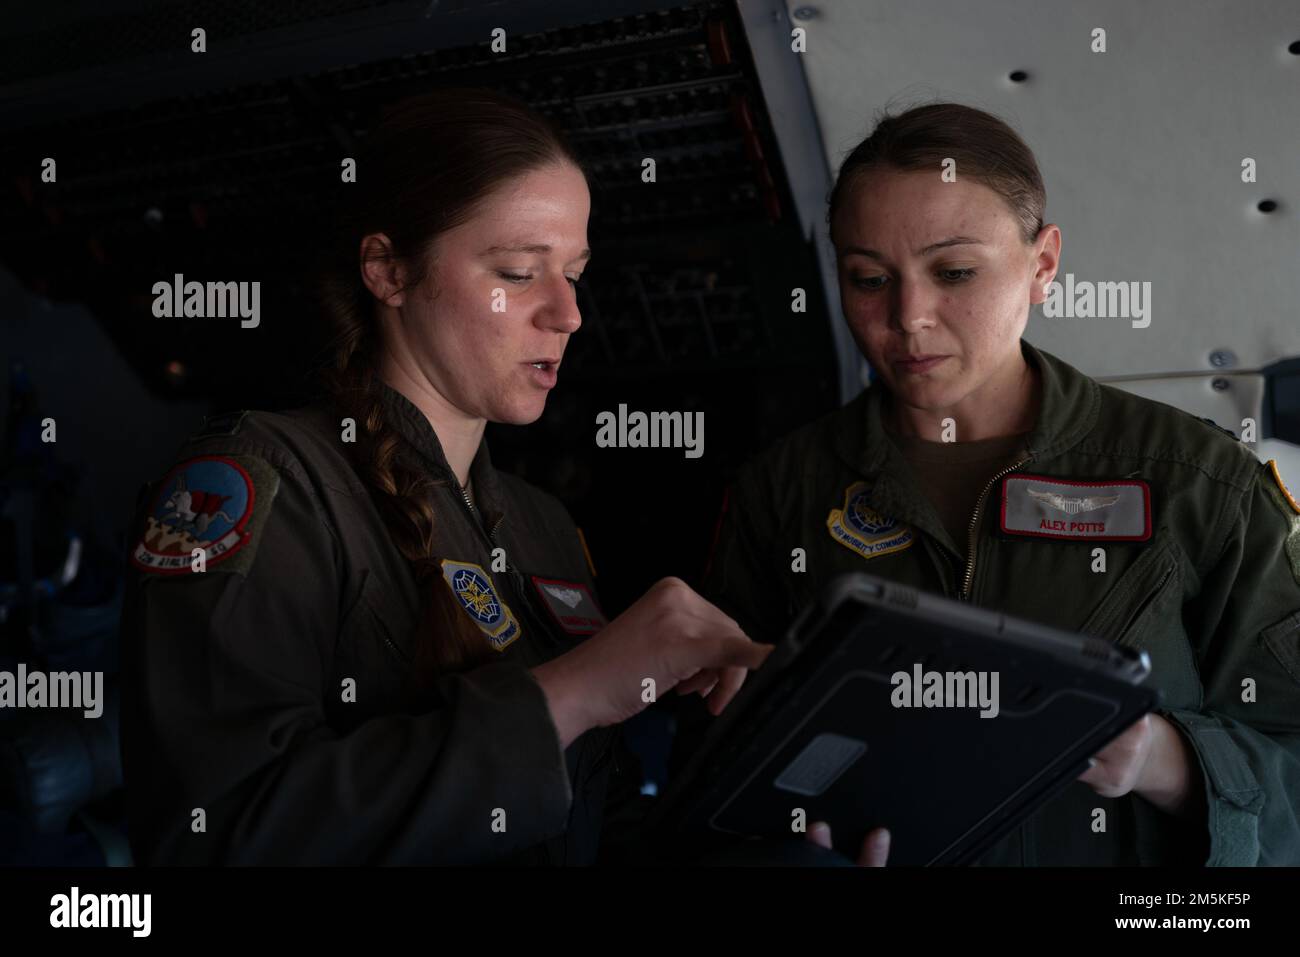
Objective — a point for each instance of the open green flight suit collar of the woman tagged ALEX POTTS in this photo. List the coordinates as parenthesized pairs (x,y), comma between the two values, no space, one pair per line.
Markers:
(1068,412)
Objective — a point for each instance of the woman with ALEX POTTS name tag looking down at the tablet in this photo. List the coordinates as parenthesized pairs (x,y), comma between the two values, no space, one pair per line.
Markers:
(982,469)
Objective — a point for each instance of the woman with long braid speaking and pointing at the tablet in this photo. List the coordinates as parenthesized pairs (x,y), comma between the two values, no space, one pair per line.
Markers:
(350,639)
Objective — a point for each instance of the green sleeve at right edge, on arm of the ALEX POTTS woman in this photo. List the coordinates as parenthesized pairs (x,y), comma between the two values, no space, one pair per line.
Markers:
(1246,630)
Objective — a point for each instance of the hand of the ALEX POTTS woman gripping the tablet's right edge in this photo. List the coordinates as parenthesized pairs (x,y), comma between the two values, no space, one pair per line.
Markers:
(1151,760)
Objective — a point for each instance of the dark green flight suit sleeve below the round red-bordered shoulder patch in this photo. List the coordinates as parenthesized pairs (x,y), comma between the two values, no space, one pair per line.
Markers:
(228,674)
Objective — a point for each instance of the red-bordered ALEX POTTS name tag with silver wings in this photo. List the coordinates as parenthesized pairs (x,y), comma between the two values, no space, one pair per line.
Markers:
(1107,512)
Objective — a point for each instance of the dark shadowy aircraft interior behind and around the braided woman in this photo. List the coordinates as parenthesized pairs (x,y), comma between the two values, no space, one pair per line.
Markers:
(226,164)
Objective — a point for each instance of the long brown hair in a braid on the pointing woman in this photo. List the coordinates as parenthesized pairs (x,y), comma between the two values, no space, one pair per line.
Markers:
(424,168)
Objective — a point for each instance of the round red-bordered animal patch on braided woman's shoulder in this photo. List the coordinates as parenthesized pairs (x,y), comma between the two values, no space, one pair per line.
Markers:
(218,504)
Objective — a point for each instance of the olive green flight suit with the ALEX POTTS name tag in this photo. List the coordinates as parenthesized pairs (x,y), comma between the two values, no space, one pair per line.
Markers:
(1212,594)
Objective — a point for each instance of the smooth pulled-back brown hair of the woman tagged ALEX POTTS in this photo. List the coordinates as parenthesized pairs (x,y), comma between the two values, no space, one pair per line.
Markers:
(985,148)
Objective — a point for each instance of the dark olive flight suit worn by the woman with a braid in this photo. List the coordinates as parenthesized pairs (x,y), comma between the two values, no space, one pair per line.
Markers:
(271,711)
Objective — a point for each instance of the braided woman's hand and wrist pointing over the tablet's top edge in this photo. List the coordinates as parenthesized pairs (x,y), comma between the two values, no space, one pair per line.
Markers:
(670,636)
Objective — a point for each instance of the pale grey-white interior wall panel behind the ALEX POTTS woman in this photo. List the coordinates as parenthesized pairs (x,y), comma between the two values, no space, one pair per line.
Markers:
(1141,149)
